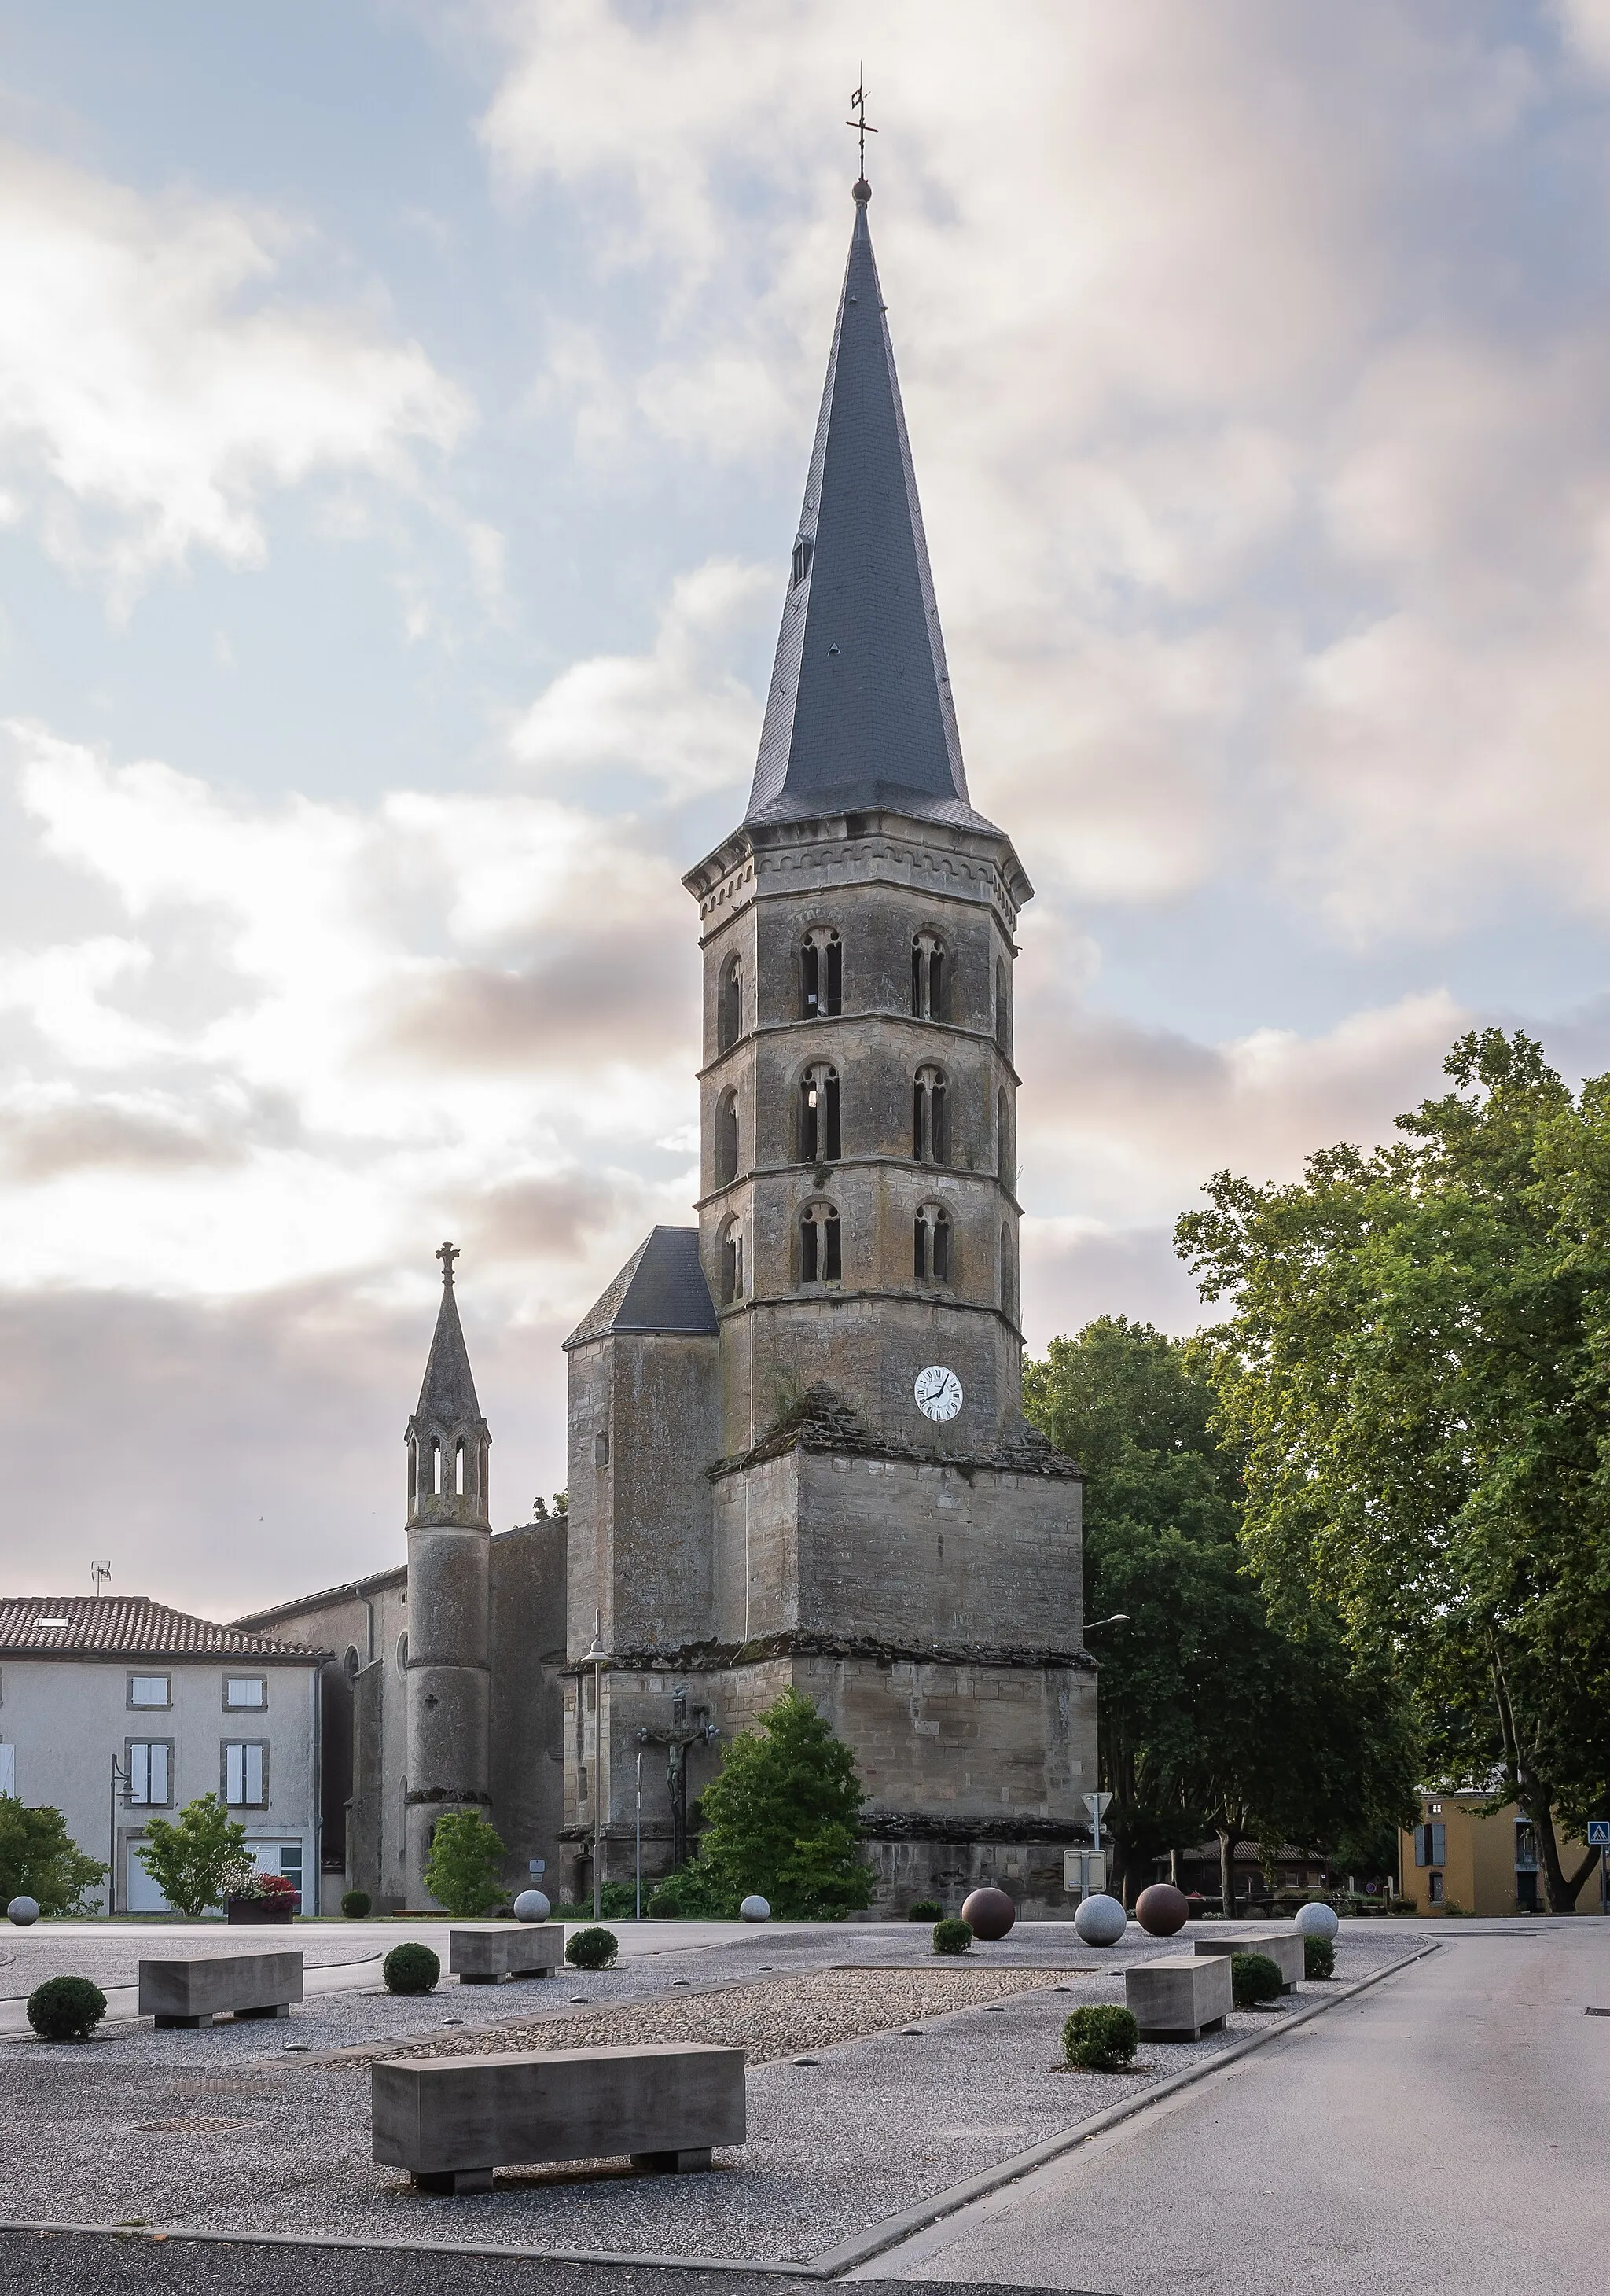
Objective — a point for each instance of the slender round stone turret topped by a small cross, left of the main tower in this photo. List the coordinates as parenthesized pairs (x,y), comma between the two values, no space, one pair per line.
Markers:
(449,1638)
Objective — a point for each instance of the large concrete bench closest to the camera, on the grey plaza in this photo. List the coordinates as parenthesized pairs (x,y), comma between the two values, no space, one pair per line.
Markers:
(454,2120)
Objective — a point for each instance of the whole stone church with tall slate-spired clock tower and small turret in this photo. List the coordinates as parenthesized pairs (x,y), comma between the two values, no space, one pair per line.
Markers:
(796,1441)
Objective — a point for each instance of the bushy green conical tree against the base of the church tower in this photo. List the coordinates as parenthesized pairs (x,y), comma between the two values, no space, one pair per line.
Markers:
(782,1820)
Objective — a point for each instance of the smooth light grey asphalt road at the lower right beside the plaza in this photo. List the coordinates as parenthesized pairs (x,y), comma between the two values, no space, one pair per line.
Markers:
(1441,2132)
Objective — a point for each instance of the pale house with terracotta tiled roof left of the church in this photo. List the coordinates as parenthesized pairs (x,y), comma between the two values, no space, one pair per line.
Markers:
(116,1709)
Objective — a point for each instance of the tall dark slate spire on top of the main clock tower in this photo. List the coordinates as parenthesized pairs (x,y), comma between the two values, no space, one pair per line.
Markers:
(860,711)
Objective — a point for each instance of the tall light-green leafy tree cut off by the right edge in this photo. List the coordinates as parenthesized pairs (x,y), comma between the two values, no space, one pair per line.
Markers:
(1416,1376)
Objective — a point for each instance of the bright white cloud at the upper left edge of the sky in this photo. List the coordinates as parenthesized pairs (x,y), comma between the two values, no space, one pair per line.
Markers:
(157,380)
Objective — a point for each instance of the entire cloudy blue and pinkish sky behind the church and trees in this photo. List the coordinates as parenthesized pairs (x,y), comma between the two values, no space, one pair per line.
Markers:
(403,424)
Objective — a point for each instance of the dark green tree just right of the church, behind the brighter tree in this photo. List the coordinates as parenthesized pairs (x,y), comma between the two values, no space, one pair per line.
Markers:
(1212,1714)
